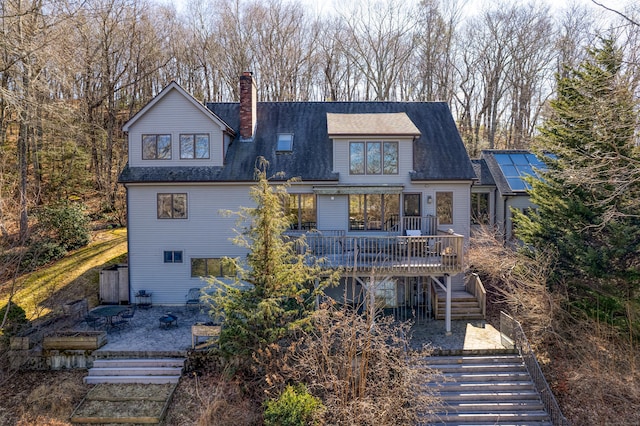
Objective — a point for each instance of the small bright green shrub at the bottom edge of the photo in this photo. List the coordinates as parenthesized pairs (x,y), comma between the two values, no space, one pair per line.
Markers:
(294,407)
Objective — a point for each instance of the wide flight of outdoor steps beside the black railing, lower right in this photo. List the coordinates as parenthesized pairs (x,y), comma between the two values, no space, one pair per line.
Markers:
(484,390)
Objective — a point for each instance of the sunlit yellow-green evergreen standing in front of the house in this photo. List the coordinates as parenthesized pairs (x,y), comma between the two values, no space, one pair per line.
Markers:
(283,282)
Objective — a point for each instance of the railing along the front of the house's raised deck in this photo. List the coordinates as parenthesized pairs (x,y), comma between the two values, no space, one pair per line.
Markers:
(401,254)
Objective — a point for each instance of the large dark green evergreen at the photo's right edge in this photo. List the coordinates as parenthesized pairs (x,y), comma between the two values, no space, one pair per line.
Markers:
(588,198)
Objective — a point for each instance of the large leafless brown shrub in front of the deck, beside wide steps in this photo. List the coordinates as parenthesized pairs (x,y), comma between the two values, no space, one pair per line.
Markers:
(359,369)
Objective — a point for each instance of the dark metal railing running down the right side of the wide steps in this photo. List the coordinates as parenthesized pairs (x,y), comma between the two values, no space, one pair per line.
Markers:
(512,335)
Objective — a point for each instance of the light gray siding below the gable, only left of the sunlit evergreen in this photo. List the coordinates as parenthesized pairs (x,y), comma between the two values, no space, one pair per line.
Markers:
(205,233)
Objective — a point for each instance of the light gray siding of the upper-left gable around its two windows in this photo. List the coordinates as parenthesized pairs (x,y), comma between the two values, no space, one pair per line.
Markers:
(175,115)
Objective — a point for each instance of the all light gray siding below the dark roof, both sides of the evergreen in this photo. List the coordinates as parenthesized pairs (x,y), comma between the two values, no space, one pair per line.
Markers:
(207,233)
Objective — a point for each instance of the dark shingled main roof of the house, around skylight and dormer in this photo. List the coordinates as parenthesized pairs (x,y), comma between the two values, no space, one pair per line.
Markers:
(439,153)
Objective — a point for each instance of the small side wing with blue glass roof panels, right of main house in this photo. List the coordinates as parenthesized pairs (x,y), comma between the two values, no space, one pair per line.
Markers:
(500,188)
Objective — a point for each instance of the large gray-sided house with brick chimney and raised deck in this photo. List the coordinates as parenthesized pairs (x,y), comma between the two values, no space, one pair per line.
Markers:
(383,190)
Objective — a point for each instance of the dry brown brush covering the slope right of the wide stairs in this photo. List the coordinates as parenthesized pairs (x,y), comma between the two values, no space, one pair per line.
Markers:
(593,370)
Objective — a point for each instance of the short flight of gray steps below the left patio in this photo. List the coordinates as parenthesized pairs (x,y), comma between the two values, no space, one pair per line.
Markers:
(149,371)
